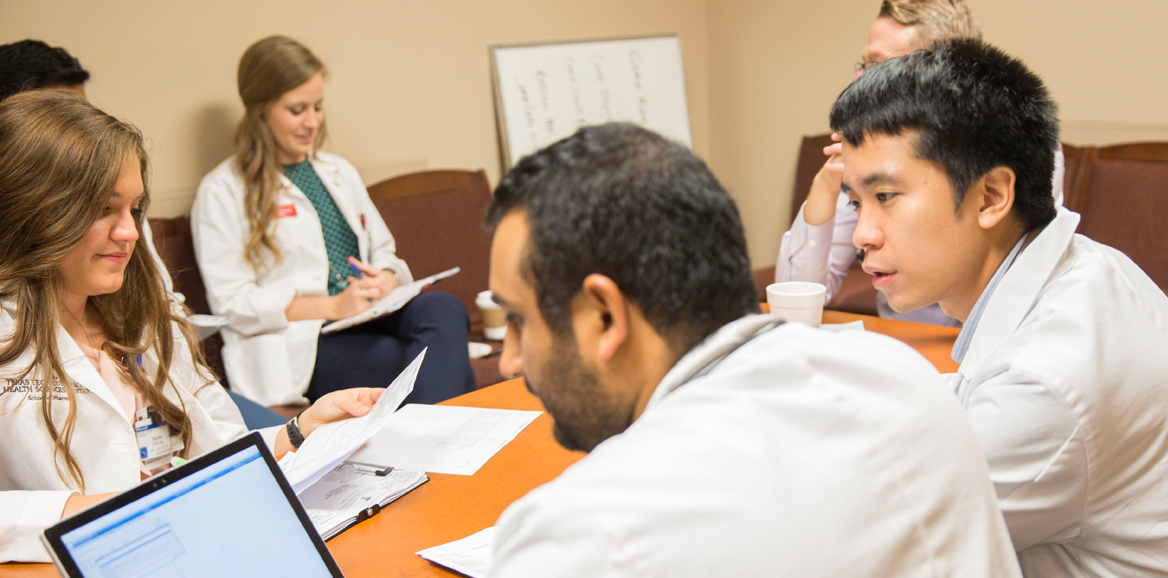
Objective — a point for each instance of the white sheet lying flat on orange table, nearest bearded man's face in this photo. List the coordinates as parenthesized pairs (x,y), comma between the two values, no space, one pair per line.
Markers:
(446,440)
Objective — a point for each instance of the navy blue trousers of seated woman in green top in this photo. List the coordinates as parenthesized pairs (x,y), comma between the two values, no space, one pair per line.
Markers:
(372,356)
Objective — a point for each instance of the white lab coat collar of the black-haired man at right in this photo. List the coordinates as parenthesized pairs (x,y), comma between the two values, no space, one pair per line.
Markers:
(1019,290)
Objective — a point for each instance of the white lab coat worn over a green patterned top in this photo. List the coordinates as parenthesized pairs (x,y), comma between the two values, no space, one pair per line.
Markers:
(268,358)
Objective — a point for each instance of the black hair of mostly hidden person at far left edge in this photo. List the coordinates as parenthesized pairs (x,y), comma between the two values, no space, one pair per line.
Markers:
(33,65)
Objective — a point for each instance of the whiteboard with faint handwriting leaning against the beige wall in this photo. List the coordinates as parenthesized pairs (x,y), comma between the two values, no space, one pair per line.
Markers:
(545,93)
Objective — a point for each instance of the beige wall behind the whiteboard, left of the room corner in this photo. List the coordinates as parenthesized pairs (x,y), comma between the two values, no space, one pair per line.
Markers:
(409,87)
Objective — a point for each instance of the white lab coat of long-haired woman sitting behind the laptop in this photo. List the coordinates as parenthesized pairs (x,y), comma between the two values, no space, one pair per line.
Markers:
(32,493)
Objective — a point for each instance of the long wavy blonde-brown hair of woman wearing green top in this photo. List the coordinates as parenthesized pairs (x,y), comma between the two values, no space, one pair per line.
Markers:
(268,71)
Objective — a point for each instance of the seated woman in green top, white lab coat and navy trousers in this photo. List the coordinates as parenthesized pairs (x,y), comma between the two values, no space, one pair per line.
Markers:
(288,240)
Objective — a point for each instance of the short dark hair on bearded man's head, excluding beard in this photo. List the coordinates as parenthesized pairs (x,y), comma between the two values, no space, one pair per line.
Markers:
(624,203)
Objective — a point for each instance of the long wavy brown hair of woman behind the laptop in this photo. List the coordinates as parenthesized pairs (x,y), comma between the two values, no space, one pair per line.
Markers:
(60,158)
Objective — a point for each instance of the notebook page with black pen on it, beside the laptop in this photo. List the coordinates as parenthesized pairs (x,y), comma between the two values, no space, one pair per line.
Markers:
(336,500)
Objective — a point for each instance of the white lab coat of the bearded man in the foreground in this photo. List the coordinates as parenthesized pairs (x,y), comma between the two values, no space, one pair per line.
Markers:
(802,454)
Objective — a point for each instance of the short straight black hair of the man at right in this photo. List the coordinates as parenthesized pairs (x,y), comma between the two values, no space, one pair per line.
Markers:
(974,107)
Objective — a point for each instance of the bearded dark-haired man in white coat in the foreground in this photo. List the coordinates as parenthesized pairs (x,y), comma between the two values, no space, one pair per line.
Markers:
(721,443)
